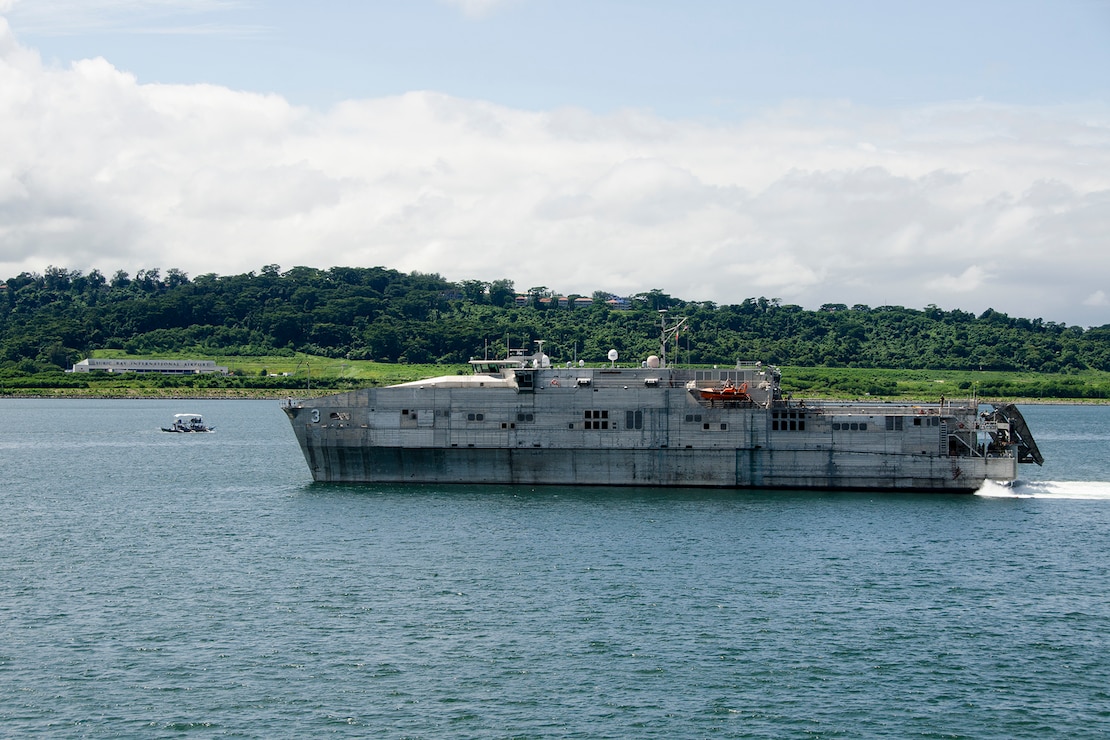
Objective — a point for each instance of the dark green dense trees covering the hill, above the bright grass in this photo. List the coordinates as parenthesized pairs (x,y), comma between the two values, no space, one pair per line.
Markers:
(52,321)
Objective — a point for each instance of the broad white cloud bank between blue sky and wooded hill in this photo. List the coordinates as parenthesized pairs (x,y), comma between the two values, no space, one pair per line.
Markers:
(964,206)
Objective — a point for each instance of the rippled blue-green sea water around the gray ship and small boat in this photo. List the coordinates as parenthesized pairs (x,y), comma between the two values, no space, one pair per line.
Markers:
(163,586)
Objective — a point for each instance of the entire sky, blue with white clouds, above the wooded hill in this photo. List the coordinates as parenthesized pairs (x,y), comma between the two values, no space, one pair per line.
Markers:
(864,153)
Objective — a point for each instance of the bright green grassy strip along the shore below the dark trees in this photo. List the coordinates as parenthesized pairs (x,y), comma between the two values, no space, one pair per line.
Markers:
(299,377)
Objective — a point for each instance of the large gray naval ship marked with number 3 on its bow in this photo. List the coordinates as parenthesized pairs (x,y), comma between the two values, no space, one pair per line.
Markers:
(524,421)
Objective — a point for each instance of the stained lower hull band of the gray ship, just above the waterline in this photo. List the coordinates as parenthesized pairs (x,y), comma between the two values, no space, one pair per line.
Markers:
(337,462)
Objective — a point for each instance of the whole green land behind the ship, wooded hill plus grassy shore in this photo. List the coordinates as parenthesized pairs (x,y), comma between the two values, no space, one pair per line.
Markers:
(305,332)
